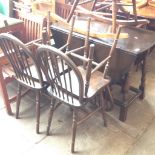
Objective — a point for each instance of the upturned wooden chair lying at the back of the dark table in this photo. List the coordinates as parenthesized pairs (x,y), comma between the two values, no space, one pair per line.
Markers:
(107,17)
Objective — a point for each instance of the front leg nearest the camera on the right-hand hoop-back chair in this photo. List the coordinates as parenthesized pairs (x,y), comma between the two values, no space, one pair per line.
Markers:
(74,127)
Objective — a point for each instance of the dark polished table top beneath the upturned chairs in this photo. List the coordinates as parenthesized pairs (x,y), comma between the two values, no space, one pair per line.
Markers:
(133,45)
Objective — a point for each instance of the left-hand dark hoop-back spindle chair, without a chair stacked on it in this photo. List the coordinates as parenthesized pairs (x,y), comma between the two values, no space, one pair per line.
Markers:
(24,70)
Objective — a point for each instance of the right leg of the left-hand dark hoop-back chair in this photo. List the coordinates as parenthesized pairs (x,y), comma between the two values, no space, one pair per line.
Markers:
(37,111)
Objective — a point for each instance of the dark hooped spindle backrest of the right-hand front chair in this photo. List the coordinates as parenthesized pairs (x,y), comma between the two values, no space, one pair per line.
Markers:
(62,74)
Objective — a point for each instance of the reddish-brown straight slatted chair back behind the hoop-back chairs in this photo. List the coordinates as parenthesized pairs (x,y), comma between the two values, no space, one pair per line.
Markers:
(33,26)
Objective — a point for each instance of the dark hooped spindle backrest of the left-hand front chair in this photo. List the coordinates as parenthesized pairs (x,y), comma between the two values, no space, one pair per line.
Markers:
(22,61)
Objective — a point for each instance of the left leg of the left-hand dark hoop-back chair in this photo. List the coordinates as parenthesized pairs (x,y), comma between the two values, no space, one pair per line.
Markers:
(18,100)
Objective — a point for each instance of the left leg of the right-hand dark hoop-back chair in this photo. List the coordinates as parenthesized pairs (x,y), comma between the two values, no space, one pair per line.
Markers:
(50,116)
